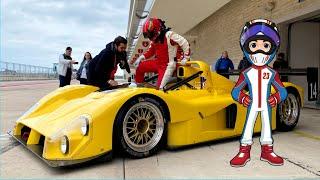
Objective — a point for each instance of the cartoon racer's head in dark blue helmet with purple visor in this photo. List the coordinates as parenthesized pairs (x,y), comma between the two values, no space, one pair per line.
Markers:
(260,41)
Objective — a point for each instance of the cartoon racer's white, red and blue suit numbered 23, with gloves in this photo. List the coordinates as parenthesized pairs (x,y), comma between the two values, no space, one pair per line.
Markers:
(259,80)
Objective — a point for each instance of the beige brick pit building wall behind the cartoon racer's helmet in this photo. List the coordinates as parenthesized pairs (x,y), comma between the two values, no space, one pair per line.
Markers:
(221,30)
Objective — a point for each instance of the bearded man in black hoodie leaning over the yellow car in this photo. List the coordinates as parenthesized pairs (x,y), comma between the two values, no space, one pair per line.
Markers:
(99,71)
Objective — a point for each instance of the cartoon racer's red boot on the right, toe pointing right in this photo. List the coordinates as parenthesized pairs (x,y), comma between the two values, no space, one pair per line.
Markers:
(269,156)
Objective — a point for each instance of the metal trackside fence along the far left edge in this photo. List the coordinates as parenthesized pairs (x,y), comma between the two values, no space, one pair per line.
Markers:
(14,72)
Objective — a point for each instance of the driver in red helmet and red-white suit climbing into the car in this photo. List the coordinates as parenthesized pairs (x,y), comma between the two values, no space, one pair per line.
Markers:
(163,47)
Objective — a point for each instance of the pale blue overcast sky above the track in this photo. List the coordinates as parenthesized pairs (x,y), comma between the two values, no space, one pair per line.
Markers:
(37,31)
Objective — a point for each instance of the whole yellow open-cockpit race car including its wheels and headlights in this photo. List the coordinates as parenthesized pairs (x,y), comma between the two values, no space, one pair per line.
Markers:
(78,123)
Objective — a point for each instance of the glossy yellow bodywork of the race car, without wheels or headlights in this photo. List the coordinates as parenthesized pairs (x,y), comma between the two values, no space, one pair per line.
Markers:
(196,114)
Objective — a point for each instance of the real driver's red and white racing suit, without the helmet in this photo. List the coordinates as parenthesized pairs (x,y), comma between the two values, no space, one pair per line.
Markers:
(164,61)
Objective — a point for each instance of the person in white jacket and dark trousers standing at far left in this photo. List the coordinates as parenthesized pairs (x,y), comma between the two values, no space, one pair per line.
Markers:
(65,67)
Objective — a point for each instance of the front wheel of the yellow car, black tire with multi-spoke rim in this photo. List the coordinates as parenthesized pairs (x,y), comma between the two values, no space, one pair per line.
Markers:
(134,134)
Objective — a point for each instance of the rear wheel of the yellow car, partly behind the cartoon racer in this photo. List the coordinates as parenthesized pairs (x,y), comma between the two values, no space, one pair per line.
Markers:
(288,111)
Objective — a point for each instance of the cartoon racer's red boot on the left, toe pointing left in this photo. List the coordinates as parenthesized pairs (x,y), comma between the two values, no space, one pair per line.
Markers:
(242,157)
